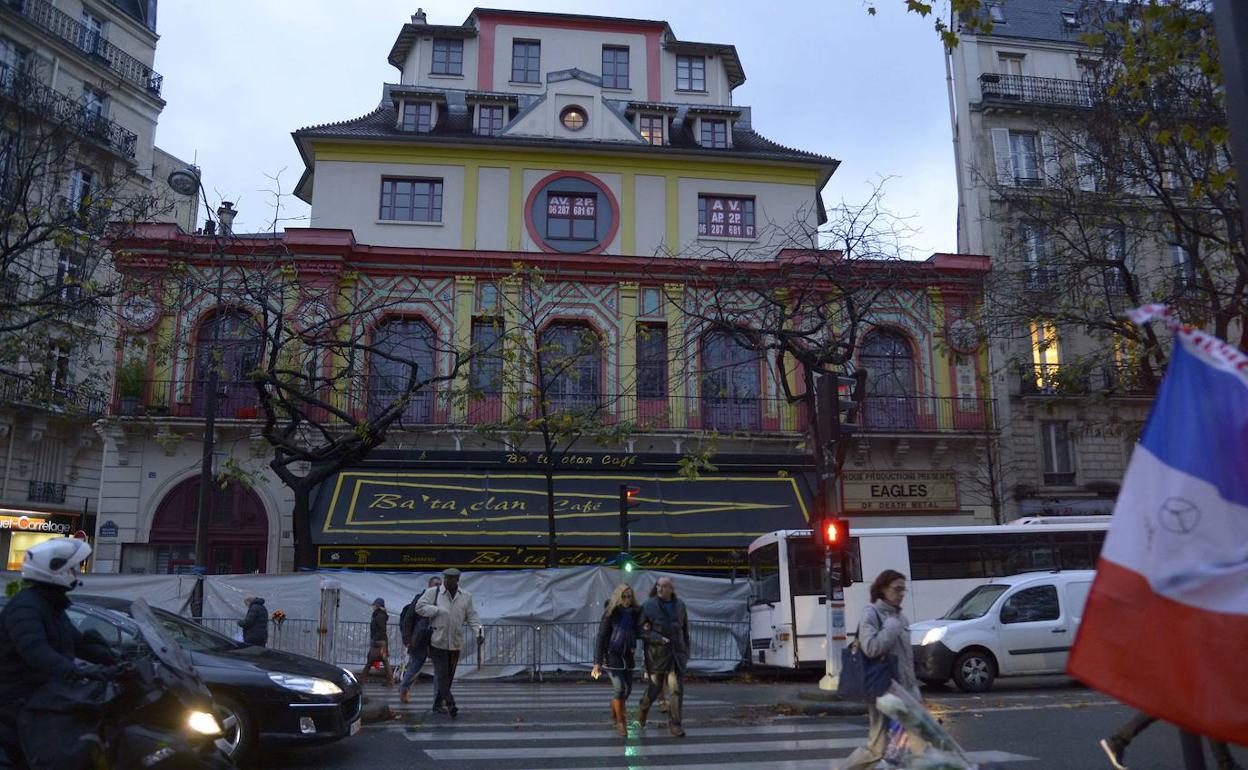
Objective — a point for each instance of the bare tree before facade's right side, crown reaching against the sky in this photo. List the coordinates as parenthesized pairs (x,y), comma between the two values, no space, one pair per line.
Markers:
(804,311)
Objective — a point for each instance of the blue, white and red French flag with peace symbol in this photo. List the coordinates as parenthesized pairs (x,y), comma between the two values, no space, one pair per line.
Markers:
(1166,626)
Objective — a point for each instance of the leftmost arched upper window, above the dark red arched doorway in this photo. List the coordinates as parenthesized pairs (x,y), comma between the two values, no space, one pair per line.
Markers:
(230,343)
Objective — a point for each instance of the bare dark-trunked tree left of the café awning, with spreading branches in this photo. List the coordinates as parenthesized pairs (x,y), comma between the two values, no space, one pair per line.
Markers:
(330,365)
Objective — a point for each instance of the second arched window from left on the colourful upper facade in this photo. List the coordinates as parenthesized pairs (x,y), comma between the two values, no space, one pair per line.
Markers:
(396,346)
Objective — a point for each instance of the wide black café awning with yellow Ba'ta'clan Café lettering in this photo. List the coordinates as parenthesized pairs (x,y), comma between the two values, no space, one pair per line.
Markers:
(429,511)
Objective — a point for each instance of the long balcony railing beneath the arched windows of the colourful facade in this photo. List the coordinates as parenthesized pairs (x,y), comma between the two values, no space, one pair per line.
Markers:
(701,412)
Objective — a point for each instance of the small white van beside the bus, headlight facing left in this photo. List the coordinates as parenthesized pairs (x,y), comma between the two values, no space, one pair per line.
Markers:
(1009,627)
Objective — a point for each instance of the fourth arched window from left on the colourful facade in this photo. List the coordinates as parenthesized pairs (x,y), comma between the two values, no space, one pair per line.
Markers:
(732,378)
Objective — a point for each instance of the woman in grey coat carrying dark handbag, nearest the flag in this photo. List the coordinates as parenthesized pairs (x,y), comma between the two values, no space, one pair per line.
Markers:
(884,632)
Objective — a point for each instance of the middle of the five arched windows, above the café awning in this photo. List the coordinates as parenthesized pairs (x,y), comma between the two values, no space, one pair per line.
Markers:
(571,356)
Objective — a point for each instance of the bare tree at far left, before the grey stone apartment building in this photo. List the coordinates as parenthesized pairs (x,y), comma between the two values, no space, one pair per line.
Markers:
(67,180)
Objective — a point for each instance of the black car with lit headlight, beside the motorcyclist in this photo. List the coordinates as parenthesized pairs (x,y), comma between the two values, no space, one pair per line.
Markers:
(266,697)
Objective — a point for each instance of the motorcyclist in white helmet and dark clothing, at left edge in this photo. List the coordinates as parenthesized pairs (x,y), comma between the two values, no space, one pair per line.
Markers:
(38,642)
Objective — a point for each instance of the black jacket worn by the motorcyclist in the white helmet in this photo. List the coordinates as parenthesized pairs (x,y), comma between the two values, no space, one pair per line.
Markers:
(38,642)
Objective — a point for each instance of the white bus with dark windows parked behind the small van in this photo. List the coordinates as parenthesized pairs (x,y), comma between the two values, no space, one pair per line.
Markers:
(788,613)
